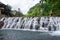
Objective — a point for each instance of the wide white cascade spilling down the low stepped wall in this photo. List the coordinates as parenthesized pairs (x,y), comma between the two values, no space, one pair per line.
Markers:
(32,23)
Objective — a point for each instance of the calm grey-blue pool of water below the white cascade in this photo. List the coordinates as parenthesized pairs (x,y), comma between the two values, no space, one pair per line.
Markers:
(25,35)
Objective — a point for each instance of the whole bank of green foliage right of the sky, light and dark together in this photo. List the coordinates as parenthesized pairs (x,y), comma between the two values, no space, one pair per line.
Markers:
(45,8)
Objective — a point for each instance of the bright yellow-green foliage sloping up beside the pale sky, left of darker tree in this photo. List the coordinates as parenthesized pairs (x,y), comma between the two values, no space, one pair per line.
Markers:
(35,11)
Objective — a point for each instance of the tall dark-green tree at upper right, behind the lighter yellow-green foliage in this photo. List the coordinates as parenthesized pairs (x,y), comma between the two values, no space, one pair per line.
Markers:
(51,6)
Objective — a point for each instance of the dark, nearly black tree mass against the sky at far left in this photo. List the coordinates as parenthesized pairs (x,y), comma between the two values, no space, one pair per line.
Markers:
(6,10)
